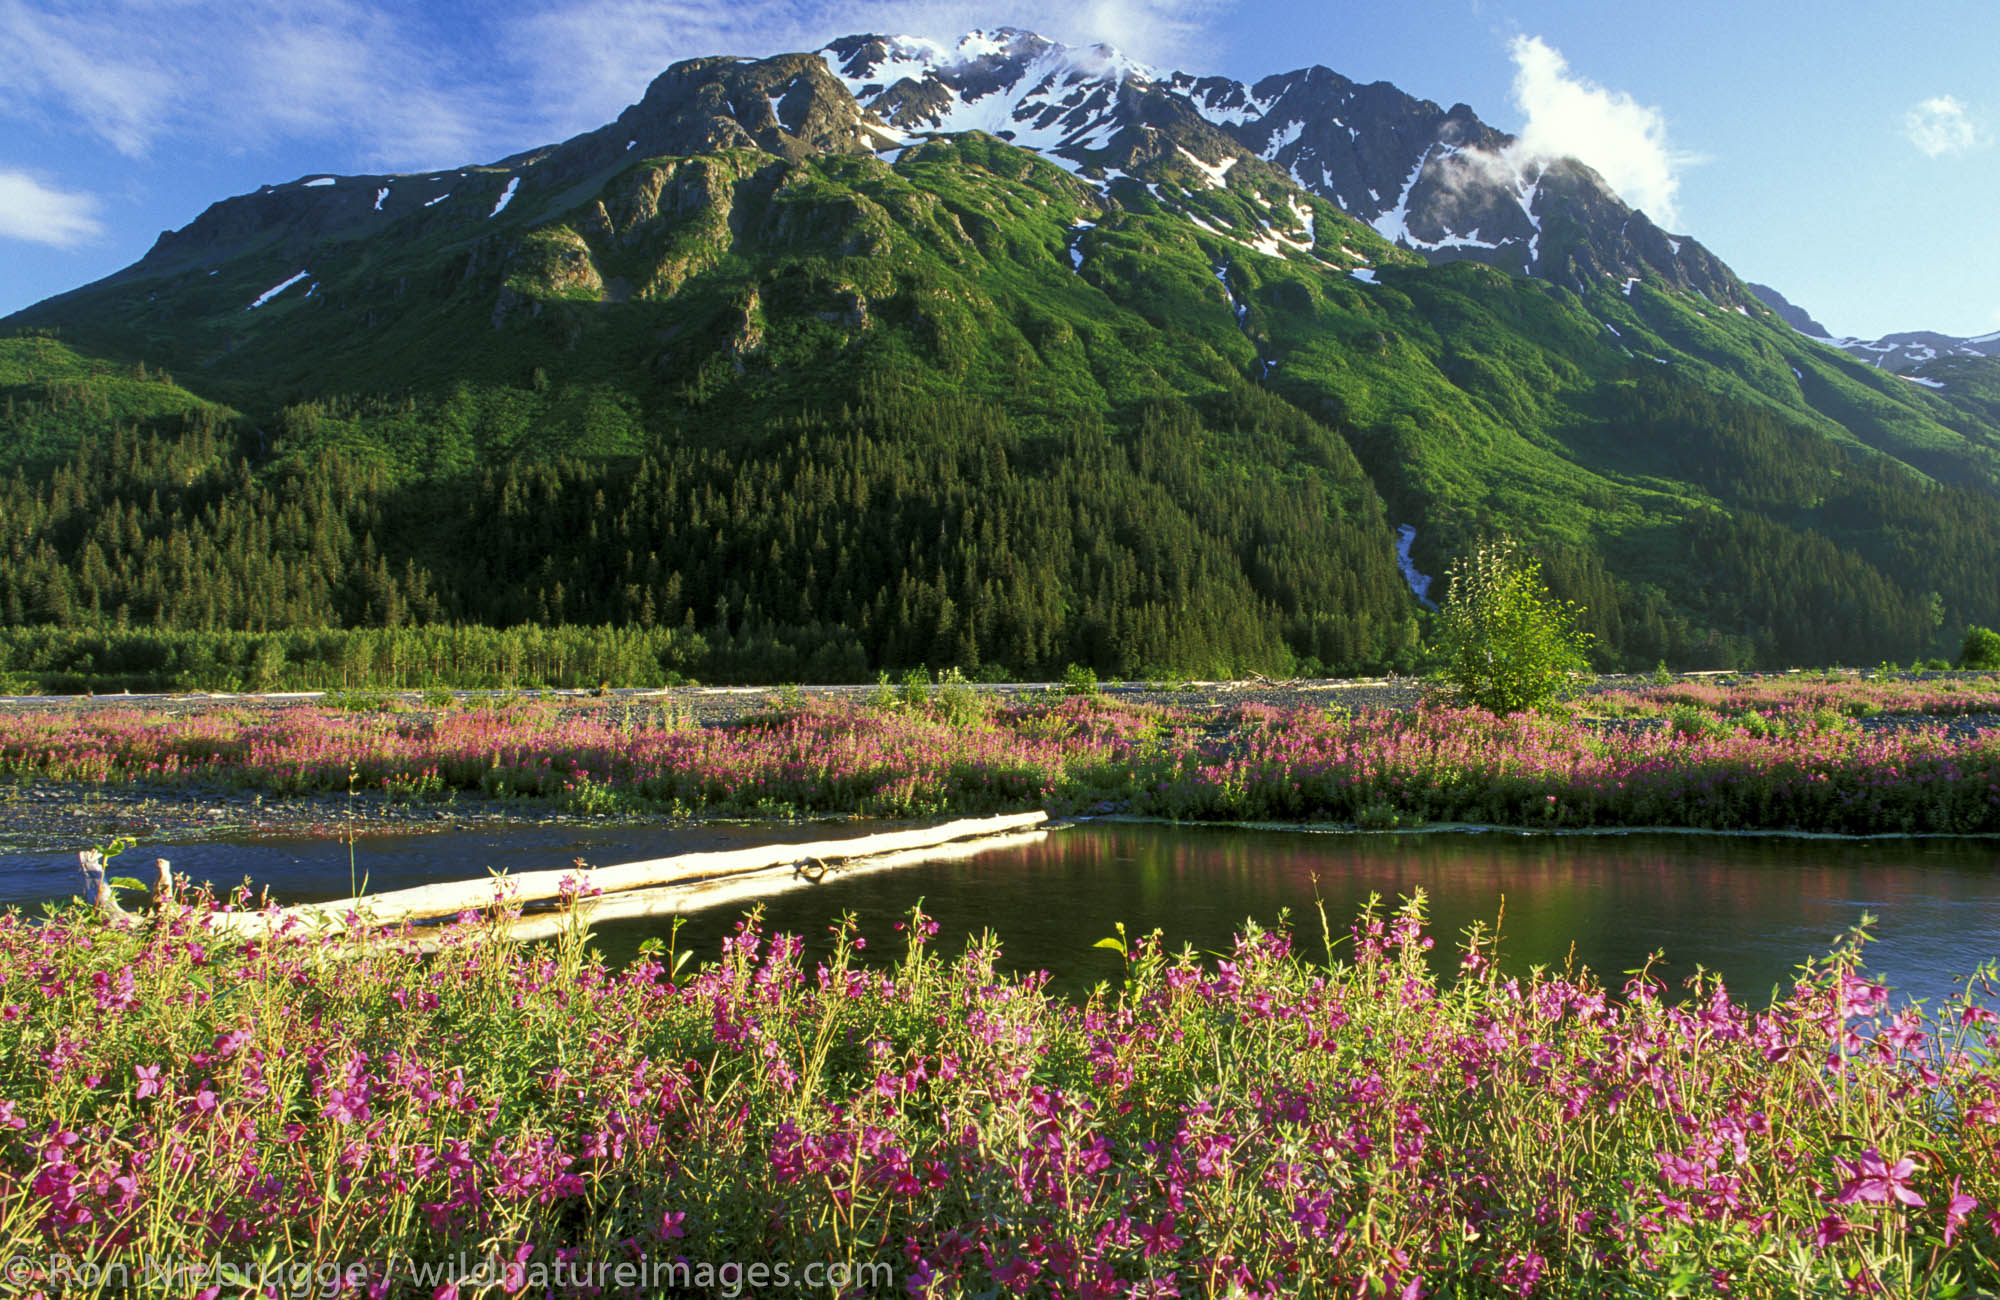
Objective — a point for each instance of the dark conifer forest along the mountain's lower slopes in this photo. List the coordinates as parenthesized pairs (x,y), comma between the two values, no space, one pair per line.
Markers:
(1217,535)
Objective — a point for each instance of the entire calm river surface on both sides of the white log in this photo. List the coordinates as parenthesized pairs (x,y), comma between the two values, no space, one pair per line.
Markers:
(1747,907)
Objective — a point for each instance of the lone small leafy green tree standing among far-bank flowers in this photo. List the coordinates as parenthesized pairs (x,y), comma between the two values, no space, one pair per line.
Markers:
(1507,645)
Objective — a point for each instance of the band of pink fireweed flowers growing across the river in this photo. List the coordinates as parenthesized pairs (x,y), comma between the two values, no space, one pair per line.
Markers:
(1751,763)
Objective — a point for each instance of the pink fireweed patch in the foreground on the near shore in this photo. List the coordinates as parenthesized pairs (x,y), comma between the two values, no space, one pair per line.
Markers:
(1265,1125)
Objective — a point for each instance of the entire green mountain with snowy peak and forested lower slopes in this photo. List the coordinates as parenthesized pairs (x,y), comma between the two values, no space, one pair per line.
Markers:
(987,353)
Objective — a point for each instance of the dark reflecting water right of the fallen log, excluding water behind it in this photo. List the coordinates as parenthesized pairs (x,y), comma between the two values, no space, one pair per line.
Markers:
(1751,909)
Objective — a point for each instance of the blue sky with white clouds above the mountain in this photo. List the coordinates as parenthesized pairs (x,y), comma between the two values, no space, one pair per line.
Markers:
(1843,153)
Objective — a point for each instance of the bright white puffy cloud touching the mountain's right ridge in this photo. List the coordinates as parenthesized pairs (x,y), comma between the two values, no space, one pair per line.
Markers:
(1621,139)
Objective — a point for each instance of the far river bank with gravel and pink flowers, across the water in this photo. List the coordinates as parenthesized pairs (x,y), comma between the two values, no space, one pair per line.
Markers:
(1845,755)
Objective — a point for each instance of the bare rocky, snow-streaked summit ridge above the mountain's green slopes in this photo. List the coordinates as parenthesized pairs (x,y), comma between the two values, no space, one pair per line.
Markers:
(1435,181)
